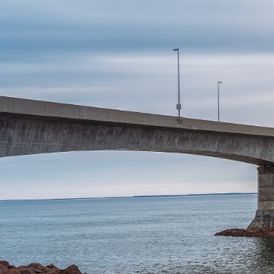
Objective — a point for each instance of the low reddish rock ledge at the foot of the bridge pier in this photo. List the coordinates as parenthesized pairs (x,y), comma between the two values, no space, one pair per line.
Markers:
(235,232)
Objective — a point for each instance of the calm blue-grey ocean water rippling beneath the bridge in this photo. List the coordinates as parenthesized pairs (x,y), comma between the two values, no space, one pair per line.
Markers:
(135,235)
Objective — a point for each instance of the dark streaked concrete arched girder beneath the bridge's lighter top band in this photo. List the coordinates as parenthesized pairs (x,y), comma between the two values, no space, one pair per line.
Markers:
(32,135)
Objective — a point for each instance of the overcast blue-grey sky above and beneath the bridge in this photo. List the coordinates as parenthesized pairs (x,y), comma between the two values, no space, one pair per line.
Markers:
(118,54)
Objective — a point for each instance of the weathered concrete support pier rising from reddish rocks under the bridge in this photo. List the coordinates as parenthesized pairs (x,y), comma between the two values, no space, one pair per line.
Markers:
(264,219)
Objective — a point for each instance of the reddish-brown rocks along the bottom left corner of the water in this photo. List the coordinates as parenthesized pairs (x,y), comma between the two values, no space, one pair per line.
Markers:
(35,268)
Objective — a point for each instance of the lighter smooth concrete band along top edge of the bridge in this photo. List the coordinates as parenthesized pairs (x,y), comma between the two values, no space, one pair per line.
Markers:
(69,111)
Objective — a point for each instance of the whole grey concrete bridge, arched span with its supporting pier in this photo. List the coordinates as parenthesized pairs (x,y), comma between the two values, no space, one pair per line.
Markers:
(32,127)
